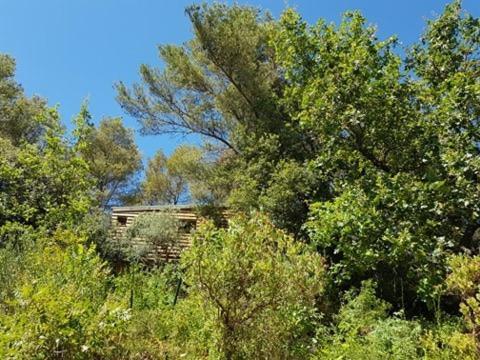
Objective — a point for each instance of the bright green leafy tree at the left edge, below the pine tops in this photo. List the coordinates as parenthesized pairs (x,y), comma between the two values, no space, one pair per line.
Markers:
(42,186)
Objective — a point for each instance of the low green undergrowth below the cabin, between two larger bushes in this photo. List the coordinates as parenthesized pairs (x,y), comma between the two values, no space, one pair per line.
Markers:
(158,328)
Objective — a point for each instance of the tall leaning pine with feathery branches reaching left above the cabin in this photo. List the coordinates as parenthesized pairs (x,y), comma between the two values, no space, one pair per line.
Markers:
(224,85)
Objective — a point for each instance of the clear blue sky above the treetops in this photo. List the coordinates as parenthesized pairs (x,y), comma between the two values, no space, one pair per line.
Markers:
(68,50)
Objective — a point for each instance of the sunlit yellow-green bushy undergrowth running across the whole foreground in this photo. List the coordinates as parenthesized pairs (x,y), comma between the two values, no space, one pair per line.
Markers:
(248,292)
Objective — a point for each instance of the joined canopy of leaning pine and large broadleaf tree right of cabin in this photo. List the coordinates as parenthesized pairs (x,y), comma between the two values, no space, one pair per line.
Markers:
(369,154)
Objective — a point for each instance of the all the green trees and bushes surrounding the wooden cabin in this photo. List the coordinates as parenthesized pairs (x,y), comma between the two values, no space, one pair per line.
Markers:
(352,166)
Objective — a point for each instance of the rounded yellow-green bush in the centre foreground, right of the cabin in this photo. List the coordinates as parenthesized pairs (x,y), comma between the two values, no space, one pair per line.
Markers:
(260,285)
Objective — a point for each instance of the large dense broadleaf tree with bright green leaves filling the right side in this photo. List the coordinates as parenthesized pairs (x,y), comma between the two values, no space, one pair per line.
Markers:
(398,147)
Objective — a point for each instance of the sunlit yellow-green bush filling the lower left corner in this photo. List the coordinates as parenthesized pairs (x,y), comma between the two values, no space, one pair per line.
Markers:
(60,306)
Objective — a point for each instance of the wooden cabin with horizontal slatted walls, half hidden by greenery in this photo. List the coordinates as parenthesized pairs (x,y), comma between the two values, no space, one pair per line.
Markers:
(188,215)
